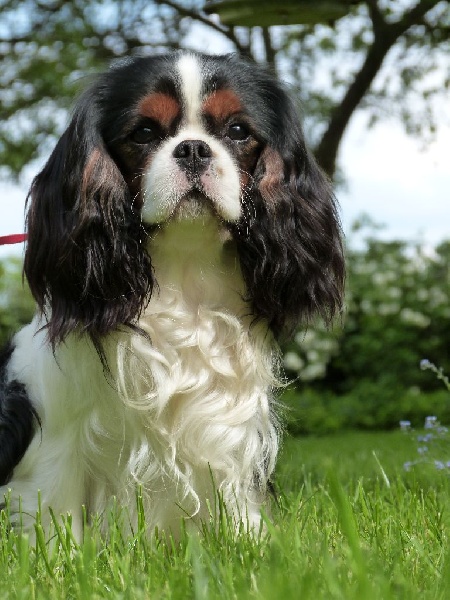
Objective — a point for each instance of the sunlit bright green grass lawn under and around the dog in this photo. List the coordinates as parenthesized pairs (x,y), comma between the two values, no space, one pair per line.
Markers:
(350,524)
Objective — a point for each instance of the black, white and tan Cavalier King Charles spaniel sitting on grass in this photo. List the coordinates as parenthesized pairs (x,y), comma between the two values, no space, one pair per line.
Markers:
(178,231)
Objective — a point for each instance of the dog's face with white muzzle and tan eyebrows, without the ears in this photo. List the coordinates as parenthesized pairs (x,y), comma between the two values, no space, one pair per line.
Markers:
(188,144)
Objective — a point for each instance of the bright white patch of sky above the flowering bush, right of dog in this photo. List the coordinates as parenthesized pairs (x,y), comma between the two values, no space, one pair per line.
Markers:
(399,185)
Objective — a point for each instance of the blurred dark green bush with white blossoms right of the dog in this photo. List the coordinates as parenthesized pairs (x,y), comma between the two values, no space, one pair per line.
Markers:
(367,374)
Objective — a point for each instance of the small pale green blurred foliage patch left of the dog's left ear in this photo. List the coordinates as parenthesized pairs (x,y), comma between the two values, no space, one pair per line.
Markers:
(16,302)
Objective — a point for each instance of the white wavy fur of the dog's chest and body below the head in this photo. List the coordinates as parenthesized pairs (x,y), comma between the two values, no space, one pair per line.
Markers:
(185,411)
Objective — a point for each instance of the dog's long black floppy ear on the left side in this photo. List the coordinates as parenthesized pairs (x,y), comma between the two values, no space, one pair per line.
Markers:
(85,259)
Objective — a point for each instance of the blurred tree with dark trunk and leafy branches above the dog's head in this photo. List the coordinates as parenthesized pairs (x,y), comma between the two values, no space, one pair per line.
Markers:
(48,47)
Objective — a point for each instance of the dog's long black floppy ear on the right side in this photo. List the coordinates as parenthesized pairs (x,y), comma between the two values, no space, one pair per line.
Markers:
(289,239)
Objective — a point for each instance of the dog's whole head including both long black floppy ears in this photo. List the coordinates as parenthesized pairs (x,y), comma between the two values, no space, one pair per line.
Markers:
(169,137)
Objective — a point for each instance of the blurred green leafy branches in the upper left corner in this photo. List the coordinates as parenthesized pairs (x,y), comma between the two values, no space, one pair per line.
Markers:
(48,51)
